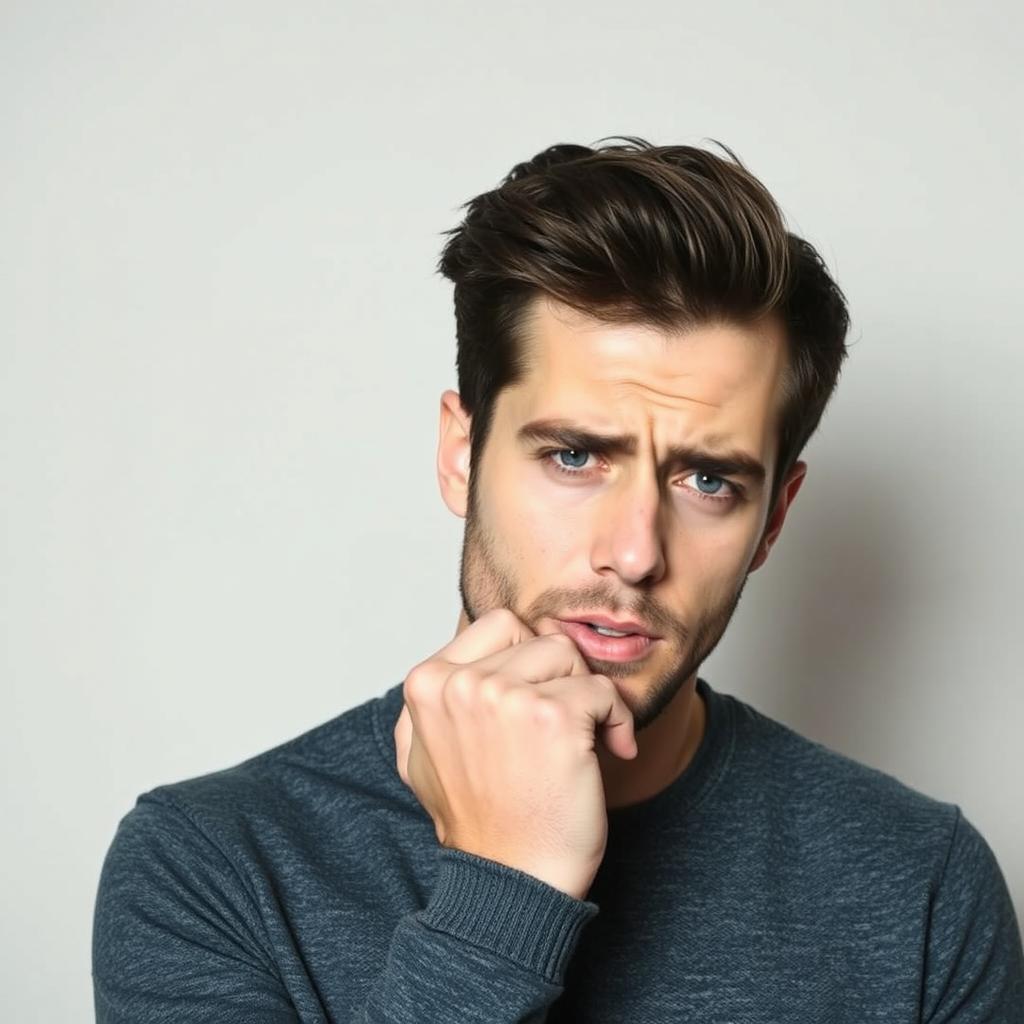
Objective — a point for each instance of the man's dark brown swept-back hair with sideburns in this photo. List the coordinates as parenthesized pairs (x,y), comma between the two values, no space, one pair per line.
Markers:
(670,237)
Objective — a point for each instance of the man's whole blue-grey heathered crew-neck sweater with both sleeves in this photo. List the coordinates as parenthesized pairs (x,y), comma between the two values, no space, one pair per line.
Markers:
(775,881)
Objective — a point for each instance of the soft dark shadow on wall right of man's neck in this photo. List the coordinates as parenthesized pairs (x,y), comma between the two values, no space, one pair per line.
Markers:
(830,622)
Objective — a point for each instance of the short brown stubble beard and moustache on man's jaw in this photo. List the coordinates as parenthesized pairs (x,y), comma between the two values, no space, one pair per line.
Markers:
(485,584)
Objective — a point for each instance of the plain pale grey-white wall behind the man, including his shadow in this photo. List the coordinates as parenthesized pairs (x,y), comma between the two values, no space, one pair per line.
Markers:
(223,345)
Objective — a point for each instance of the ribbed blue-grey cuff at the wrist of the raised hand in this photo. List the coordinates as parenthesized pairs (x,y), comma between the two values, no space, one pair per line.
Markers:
(507,912)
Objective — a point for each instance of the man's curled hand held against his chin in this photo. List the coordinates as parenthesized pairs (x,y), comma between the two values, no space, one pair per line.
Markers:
(497,740)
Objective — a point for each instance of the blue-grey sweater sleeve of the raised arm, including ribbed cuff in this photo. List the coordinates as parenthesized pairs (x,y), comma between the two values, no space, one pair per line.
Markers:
(178,936)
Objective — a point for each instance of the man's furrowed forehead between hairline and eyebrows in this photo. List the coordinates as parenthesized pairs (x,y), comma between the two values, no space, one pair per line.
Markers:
(721,378)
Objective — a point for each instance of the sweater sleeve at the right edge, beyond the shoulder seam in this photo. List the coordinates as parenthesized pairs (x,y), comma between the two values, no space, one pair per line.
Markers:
(975,965)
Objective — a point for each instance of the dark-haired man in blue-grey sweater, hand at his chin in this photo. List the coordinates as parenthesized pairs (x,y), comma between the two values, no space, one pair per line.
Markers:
(553,818)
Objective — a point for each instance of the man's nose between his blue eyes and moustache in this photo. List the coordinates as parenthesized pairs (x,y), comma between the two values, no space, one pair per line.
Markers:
(629,540)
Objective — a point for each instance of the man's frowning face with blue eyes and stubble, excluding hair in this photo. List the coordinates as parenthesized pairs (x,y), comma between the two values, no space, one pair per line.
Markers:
(562,533)
